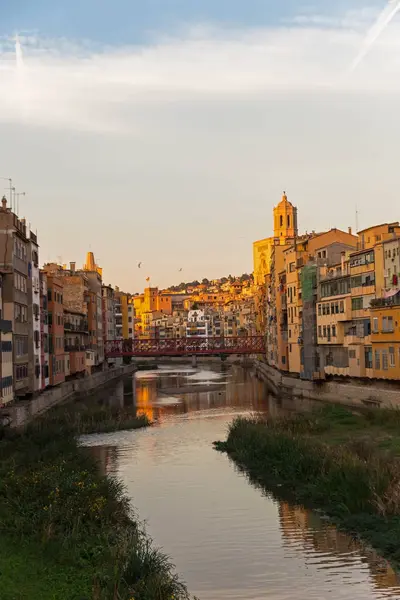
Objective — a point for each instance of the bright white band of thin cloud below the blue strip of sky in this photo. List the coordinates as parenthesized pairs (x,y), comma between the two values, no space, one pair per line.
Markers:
(64,84)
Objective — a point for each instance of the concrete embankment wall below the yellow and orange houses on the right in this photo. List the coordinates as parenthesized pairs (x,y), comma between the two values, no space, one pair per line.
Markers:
(351,392)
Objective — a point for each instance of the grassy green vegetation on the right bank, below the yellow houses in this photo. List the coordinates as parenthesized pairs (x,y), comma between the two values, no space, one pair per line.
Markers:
(344,463)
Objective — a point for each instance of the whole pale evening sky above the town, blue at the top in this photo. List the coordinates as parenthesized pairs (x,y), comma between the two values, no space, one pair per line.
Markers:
(164,131)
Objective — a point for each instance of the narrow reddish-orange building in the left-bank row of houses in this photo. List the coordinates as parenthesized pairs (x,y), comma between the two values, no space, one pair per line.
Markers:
(56,329)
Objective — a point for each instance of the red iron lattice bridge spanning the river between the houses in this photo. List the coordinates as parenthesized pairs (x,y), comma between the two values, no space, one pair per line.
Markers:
(187,346)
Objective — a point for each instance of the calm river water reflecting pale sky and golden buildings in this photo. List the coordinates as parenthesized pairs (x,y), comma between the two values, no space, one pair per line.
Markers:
(228,539)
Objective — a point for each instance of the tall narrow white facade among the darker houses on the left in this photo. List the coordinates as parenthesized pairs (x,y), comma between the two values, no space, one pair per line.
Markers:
(34,337)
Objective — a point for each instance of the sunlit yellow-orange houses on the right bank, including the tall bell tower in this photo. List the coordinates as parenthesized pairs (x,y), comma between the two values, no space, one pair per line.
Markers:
(330,301)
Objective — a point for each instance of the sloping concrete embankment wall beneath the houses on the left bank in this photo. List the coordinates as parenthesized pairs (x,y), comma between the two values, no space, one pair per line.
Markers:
(20,413)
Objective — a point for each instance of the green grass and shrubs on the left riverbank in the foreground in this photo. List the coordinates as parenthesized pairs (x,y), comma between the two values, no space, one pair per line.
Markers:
(66,531)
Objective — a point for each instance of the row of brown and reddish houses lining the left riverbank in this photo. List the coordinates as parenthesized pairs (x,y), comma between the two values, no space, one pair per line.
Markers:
(54,321)
